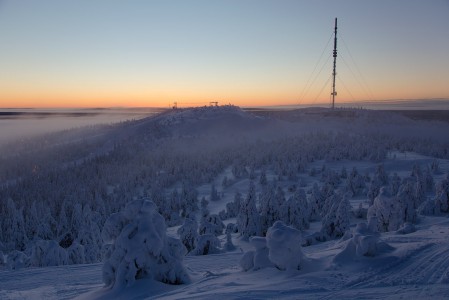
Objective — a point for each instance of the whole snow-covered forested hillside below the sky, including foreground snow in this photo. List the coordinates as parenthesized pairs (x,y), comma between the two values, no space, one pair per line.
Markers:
(345,203)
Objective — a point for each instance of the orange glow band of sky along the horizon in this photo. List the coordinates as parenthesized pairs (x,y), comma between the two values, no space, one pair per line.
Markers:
(164,97)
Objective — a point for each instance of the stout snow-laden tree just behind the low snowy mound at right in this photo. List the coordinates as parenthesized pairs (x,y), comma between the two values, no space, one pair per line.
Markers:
(387,210)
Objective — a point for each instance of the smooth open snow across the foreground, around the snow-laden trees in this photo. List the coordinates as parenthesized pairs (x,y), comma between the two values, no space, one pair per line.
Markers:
(418,268)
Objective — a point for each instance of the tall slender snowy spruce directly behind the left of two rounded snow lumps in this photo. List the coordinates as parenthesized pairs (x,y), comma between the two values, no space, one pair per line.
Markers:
(248,220)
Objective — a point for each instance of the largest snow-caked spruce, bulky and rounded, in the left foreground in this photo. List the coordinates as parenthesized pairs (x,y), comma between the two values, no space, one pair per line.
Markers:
(139,248)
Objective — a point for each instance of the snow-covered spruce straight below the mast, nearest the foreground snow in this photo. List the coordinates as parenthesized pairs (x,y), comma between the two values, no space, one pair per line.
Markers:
(337,221)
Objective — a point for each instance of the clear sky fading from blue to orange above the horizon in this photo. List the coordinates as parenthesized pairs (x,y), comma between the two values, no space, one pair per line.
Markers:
(103,53)
